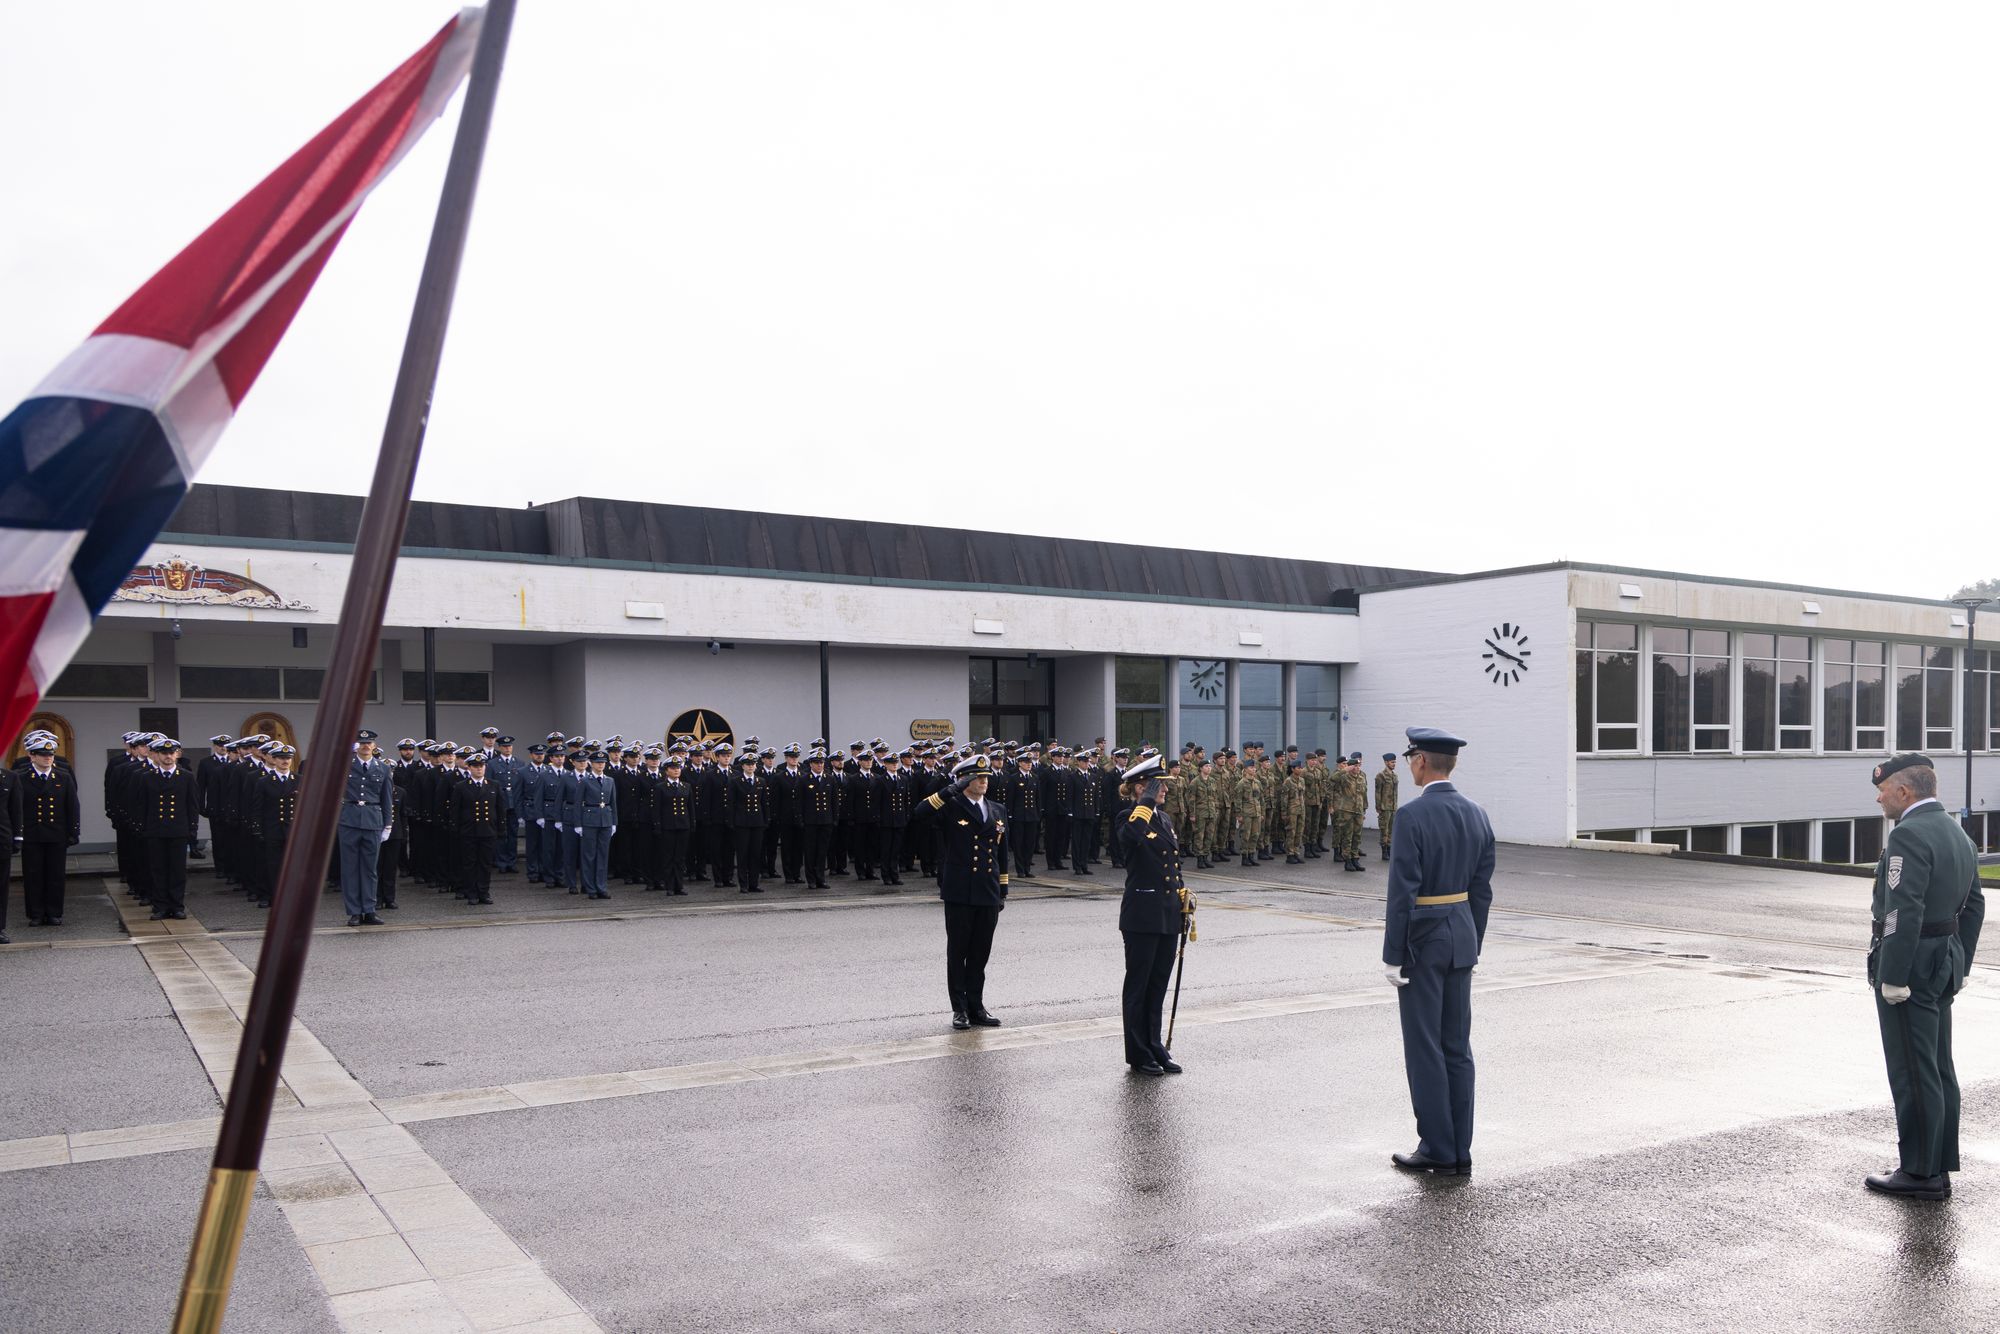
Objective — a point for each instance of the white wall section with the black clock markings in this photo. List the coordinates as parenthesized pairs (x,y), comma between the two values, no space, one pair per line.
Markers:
(1421,667)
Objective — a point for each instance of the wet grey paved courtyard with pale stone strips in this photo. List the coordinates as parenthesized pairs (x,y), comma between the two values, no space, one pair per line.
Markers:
(715,1115)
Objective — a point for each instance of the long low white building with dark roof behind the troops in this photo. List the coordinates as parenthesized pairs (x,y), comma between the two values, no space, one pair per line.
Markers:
(1715,715)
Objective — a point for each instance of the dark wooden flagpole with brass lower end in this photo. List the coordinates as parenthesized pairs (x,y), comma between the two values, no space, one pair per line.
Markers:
(219,1233)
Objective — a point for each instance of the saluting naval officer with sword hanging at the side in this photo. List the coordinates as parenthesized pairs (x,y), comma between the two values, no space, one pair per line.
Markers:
(1153,913)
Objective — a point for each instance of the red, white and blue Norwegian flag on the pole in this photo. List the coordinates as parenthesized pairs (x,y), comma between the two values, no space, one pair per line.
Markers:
(99,457)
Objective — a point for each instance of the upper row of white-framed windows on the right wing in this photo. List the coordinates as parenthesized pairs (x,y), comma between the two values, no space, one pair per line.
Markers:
(1689,691)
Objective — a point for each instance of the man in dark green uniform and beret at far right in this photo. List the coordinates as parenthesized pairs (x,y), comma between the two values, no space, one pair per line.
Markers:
(1927,923)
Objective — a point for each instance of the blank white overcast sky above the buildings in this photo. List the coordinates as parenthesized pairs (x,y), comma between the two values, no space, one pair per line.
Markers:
(1457,285)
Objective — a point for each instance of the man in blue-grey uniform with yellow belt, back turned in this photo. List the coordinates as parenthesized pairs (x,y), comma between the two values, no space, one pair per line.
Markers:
(1439,891)
